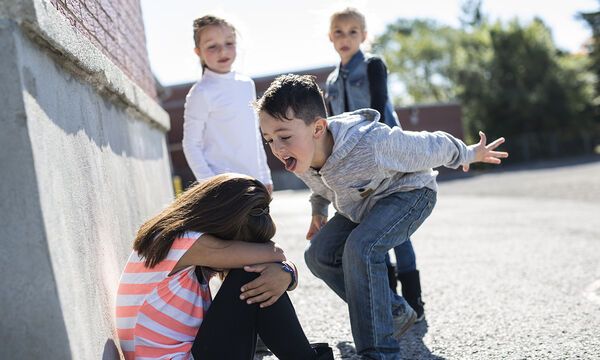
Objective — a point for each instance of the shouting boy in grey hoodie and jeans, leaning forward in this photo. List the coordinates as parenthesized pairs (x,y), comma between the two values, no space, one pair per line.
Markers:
(380,181)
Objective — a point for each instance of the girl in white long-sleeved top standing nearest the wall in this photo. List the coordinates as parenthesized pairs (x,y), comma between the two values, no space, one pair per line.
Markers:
(220,129)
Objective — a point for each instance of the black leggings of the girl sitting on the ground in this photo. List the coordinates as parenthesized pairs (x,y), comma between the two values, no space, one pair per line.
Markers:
(229,328)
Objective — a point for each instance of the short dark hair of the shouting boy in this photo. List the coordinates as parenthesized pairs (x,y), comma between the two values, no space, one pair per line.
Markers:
(298,93)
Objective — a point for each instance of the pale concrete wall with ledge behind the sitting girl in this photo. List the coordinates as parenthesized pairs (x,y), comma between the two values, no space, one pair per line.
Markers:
(83,163)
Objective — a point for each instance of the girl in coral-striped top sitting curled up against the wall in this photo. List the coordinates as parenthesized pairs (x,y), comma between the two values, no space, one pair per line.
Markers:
(164,307)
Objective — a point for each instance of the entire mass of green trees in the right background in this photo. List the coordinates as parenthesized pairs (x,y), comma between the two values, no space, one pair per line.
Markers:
(510,78)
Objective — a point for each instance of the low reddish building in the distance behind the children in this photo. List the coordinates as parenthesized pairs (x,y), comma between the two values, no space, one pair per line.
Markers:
(430,117)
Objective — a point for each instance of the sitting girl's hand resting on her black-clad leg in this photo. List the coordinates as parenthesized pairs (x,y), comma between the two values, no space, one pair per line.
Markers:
(268,287)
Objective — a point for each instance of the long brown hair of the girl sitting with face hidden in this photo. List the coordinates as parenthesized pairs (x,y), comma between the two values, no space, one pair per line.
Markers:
(228,206)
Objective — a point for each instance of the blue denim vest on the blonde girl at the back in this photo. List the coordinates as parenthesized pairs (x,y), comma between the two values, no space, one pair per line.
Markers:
(359,96)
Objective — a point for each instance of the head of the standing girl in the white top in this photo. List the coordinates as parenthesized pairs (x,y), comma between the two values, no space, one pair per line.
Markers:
(215,43)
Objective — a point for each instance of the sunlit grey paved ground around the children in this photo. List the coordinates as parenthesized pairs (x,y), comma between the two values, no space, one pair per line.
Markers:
(510,267)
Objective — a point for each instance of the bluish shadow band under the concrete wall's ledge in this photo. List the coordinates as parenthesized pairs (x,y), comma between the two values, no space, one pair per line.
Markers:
(78,107)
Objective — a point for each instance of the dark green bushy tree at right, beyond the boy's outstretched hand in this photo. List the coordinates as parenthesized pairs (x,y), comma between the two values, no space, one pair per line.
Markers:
(526,86)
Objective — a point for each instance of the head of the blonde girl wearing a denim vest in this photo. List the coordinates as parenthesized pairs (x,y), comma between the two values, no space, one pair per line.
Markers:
(347,31)
